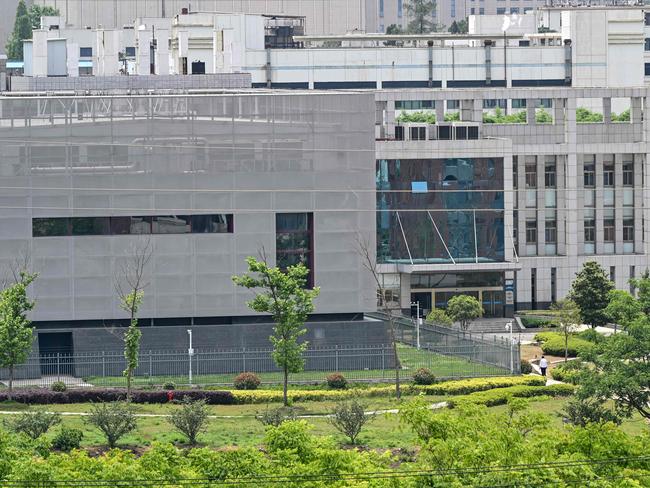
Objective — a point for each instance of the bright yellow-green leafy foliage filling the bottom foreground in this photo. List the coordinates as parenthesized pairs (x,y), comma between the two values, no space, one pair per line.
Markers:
(464,439)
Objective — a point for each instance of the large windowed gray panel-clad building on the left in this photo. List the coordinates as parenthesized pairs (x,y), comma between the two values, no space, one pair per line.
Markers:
(206,180)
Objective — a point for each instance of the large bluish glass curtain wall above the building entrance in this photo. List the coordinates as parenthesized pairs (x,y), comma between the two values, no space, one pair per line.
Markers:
(440,211)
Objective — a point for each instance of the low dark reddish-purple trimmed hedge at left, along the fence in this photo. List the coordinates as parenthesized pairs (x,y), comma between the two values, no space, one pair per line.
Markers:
(44,397)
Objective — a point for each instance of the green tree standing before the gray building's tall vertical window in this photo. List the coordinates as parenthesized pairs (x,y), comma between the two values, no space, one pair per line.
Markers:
(284,295)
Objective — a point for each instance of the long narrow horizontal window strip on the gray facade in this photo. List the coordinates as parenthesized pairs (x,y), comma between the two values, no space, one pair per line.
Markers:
(167,224)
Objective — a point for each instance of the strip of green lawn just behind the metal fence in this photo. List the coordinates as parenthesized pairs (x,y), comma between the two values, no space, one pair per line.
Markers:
(411,359)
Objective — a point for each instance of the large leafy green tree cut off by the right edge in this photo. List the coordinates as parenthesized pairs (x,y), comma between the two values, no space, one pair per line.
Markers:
(621,370)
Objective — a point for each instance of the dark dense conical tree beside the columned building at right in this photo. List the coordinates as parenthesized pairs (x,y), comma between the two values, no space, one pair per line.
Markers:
(590,291)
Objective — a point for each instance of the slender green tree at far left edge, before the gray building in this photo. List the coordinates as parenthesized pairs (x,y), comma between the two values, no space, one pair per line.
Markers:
(16,331)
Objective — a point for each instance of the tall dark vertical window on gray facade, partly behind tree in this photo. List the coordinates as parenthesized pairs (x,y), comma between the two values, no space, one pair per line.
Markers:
(294,241)
